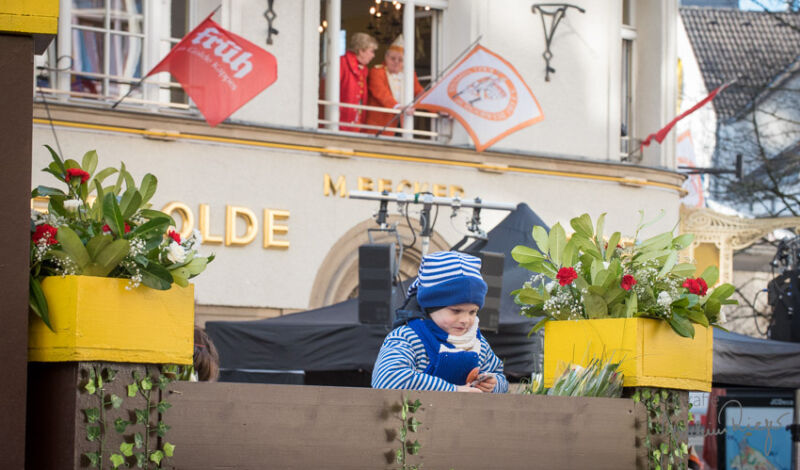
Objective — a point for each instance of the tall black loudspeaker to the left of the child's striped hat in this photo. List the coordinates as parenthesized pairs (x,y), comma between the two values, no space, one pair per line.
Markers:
(376,267)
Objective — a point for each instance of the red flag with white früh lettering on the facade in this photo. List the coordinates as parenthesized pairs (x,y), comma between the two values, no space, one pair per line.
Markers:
(219,70)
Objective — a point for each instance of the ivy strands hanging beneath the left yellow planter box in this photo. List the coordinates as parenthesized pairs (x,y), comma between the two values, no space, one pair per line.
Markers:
(141,436)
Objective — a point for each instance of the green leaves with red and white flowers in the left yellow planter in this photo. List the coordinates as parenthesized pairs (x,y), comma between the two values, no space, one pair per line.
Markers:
(105,231)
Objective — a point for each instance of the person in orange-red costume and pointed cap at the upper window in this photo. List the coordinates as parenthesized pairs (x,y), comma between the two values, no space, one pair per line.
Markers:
(386,88)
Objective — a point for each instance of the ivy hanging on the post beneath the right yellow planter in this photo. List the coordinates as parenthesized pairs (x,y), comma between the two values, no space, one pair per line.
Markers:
(665,428)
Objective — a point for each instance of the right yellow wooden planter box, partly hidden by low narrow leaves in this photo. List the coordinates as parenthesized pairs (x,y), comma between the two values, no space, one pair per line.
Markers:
(652,354)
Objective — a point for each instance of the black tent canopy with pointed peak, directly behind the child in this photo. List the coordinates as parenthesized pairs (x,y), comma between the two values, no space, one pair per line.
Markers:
(332,339)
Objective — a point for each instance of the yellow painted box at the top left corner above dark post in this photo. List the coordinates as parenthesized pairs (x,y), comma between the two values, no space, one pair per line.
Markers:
(29,16)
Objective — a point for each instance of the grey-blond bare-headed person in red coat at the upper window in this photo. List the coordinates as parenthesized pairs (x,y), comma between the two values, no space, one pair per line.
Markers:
(353,74)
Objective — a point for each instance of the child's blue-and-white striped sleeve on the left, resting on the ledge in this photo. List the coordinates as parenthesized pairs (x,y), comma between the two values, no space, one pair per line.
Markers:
(400,363)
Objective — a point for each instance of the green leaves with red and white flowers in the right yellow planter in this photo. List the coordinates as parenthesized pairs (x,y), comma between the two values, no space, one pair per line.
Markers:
(640,279)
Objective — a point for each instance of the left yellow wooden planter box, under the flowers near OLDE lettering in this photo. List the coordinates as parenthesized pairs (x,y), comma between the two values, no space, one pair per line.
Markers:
(97,319)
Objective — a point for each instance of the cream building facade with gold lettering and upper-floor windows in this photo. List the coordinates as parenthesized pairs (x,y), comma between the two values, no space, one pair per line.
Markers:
(268,187)
